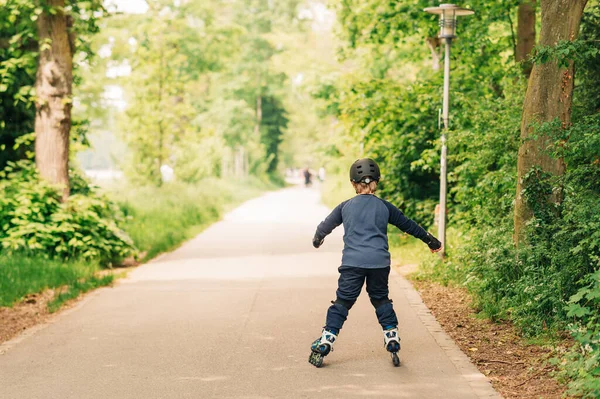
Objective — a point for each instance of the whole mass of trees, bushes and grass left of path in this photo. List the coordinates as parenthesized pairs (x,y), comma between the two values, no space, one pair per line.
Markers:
(197,130)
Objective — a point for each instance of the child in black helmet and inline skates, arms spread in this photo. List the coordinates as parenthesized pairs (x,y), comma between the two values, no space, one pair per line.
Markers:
(365,257)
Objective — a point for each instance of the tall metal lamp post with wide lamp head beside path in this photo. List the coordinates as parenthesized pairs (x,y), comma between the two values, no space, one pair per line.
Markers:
(448,14)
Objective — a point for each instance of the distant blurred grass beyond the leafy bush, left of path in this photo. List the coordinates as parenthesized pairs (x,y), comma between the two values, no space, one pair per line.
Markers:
(160,219)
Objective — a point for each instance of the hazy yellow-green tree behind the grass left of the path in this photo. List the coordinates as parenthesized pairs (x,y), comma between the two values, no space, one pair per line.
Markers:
(172,49)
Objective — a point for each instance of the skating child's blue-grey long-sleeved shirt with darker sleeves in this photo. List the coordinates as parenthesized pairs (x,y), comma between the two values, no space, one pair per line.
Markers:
(365,219)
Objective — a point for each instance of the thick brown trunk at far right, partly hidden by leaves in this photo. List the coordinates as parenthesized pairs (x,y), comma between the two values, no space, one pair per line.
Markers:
(549,96)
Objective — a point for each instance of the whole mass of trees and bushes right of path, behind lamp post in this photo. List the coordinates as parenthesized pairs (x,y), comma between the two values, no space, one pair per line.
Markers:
(524,181)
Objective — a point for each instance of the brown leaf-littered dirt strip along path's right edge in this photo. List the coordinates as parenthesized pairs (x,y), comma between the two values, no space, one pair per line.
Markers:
(517,369)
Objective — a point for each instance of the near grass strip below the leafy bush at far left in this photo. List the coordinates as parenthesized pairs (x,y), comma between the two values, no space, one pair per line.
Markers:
(21,275)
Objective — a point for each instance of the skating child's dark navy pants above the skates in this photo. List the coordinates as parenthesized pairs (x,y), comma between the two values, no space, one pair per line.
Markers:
(350,284)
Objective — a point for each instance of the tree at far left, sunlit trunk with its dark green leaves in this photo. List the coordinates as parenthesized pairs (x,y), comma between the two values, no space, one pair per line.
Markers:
(37,44)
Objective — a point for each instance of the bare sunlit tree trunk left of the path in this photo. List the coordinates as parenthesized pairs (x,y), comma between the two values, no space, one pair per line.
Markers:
(53,85)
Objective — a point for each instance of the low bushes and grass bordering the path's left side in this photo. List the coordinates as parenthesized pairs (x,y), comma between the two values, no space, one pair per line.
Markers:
(49,244)
